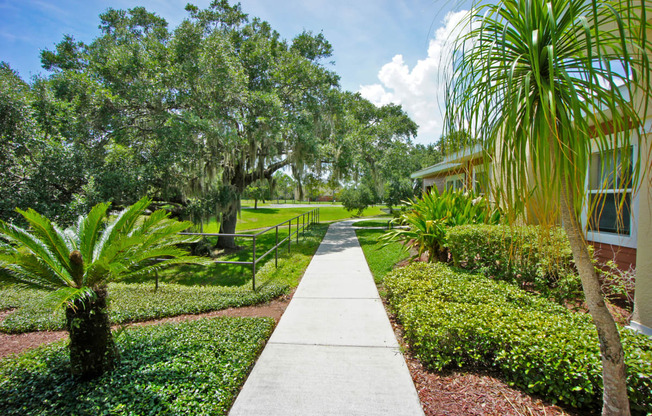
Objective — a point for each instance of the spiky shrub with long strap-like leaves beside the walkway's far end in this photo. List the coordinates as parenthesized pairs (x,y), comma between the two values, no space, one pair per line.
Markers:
(430,217)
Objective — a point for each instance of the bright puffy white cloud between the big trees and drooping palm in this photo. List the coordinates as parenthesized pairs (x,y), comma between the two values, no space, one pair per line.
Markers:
(420,89)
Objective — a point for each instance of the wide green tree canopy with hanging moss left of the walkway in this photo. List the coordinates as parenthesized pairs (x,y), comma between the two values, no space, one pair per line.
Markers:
(189,116)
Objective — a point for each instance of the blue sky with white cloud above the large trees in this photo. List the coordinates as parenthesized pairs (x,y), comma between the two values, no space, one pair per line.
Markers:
(389,50)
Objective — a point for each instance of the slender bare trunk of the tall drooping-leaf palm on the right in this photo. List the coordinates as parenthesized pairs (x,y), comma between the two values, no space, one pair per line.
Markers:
(614,397)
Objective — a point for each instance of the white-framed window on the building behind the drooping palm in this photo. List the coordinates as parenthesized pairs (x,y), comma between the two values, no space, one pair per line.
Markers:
(611,212)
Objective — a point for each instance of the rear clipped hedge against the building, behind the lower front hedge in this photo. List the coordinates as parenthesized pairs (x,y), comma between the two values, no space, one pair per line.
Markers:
(524,255)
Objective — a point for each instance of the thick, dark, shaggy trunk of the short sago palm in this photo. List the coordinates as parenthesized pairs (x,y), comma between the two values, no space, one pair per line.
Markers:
(92,349)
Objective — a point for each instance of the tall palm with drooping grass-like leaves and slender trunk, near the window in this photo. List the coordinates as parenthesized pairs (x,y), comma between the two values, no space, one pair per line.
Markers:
(541,84)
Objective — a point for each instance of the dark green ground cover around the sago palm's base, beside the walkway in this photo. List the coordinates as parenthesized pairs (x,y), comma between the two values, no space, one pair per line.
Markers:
(195,367)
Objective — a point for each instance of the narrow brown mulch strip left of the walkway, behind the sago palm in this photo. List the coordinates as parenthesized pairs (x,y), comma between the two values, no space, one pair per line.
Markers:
(17,343)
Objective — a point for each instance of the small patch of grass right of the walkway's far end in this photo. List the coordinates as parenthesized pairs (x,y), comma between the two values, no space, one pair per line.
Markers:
(381,260)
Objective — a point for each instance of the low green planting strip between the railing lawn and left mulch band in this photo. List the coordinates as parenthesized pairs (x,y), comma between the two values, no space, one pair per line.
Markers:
(132,302)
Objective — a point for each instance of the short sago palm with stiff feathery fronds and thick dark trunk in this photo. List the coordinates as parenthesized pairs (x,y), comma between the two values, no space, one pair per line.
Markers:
(76,264)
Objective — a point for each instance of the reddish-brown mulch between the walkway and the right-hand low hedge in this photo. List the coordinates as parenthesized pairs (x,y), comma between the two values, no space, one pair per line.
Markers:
(474,392)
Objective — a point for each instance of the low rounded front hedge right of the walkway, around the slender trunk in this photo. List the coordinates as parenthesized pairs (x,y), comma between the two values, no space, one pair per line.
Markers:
(453,319)
